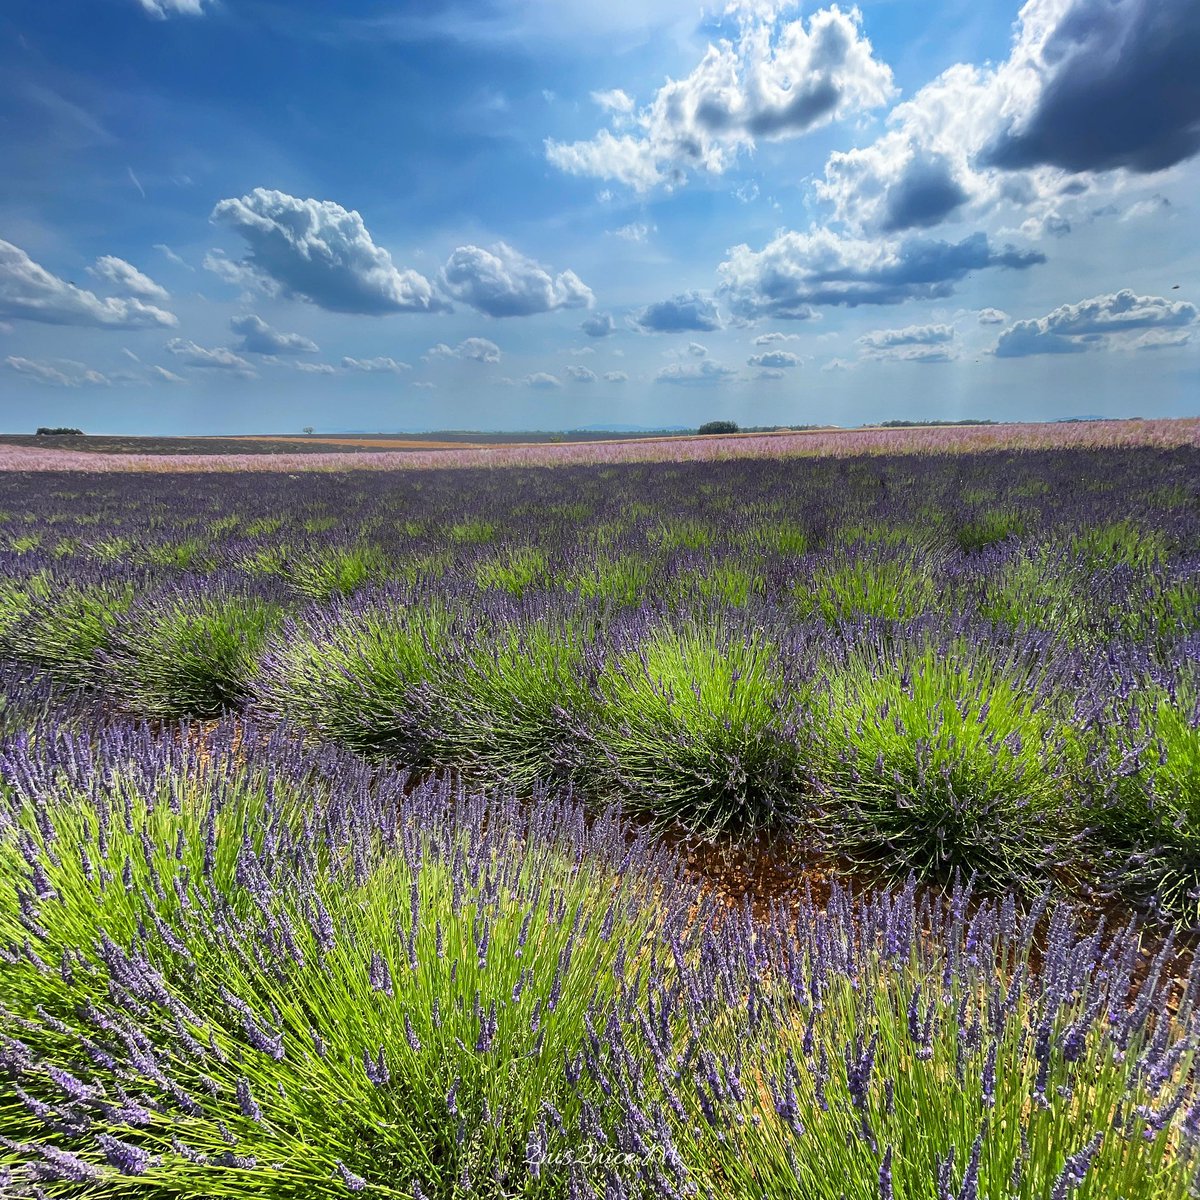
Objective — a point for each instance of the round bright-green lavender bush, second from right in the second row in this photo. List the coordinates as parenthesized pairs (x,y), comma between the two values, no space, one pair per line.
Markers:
(943,763)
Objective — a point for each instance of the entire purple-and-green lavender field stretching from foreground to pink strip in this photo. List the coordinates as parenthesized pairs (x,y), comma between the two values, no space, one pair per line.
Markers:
(375,831)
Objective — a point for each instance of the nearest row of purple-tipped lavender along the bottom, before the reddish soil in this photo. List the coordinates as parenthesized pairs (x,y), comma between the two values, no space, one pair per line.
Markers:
(236,965)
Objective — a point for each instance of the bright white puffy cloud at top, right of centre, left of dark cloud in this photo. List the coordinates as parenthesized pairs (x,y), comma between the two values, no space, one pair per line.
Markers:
(777,80)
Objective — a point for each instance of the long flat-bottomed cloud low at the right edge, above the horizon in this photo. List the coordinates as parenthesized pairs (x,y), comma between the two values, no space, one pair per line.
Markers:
(1100,325)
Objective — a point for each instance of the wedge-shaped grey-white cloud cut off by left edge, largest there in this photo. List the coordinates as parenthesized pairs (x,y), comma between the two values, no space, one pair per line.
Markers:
(29,292)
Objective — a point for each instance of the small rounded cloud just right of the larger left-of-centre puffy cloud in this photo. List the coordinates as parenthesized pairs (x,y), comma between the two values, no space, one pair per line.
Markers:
(502,283)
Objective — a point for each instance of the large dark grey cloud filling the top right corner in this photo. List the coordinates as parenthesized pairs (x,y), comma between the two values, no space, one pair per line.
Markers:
(1121,89)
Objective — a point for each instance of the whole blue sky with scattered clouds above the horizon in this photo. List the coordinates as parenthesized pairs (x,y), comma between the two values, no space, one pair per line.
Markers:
(256,215)
